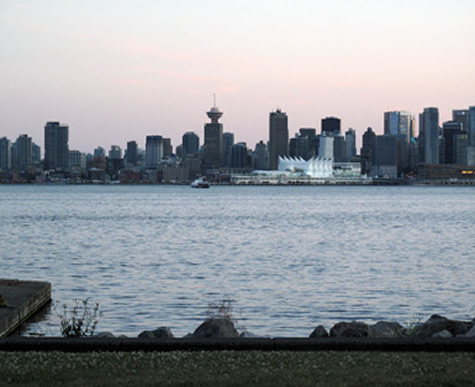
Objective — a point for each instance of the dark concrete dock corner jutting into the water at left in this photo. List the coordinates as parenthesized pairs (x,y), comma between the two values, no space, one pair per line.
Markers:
(23,299)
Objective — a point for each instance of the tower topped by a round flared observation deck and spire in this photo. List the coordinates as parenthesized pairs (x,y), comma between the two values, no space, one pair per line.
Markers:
(213,146)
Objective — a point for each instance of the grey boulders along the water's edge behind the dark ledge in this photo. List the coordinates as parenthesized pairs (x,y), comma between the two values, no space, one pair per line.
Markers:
(435,327)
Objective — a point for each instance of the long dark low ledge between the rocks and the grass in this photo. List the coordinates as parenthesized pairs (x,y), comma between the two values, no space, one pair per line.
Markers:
(237,344)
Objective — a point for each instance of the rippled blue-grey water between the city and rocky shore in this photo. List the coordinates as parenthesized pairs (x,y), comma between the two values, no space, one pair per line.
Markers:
(291,257)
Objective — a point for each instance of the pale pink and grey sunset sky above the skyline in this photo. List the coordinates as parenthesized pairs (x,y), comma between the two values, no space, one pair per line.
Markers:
(118,70)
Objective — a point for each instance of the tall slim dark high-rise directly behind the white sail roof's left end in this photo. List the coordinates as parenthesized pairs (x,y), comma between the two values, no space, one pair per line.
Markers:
(278,137)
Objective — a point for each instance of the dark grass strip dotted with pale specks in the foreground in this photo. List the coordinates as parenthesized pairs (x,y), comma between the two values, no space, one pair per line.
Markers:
(278,368)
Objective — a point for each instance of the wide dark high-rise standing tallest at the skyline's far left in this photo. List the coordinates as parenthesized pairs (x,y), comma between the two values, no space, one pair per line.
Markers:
(56,146)
